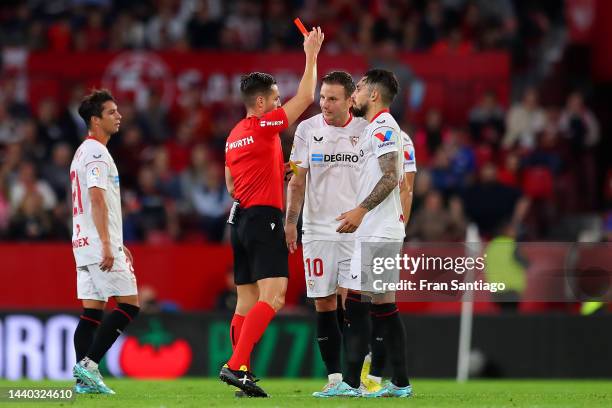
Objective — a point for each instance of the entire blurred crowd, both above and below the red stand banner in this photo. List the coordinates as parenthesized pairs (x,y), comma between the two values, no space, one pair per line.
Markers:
(525,164)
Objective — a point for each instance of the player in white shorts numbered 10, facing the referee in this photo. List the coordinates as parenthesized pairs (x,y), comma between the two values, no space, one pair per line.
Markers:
(326,150)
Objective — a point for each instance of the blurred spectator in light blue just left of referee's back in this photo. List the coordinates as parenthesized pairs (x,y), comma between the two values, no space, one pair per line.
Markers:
(212,203)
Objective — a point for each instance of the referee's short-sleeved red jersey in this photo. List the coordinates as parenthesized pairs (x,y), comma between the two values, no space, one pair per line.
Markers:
(254,157)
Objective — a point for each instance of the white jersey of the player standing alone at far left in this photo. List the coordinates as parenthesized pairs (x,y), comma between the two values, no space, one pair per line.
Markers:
(93,166)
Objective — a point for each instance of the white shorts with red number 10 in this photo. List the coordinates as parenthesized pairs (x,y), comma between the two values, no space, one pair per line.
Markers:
(326,265)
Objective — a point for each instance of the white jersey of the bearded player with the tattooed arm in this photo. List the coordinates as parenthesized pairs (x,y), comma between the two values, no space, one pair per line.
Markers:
(381,136)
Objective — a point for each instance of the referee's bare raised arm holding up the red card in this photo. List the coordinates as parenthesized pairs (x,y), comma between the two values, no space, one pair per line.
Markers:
(305,93)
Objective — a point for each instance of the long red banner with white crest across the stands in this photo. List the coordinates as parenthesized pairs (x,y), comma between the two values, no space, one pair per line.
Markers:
(450,83)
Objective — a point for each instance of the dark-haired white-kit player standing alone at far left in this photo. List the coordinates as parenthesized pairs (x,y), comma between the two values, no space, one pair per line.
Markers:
(104,264)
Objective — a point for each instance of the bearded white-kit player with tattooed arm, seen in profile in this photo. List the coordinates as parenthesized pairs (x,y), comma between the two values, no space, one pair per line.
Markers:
(379,222)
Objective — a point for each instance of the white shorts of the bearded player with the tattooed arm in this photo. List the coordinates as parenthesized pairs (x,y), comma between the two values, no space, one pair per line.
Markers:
(365,253)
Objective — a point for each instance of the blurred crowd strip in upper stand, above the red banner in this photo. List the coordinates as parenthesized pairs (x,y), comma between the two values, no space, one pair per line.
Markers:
(459,26)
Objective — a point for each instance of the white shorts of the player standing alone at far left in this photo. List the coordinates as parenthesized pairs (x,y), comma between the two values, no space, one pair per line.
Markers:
(95,284)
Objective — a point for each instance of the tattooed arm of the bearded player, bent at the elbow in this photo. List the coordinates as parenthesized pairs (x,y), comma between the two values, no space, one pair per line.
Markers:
(352,219)
